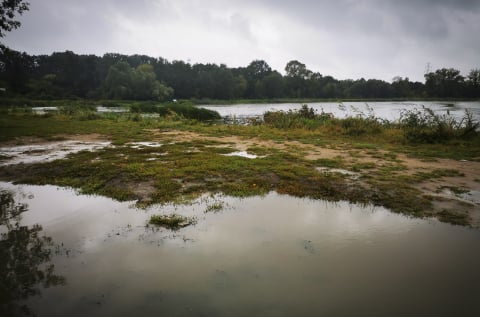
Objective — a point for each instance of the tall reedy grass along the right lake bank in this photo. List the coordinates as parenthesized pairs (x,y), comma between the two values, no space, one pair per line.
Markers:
(418,125)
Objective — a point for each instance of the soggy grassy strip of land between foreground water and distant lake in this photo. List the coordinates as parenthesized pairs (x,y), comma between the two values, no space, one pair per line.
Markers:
(399,165)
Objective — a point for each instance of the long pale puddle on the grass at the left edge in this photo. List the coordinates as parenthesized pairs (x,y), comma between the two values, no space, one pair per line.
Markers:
(46,152)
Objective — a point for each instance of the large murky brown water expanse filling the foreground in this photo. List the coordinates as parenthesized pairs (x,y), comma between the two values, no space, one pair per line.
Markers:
(260,256)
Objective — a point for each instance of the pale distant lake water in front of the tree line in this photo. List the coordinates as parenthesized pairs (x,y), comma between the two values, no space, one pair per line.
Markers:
(384,110)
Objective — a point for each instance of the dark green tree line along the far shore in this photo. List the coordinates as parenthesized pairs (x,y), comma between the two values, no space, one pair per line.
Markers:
(141,77)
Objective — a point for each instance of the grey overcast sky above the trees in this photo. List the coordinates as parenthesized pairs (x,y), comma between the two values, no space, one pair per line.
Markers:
(342,38)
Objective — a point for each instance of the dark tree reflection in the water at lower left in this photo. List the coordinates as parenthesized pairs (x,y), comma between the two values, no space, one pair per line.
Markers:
(24,259)
